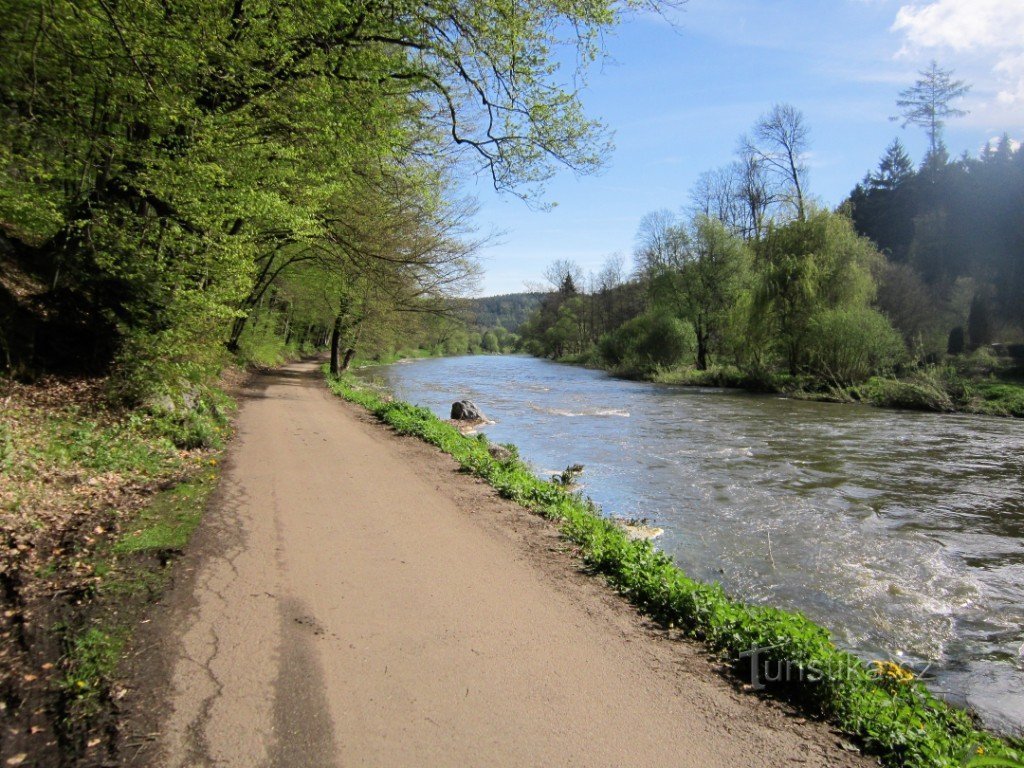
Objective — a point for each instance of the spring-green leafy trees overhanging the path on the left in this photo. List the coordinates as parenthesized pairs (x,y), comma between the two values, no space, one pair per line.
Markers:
(165,198)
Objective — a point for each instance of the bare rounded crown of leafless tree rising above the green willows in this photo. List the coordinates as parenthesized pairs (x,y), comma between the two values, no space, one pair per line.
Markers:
(781,143)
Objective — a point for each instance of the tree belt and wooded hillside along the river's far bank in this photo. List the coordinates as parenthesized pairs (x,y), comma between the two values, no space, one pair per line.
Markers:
(908,294)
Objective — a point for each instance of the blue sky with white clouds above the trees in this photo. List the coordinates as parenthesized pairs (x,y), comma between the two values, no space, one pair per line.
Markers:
(677,95)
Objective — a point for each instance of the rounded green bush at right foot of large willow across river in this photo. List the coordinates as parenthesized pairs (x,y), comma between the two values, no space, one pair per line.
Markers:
(847,347)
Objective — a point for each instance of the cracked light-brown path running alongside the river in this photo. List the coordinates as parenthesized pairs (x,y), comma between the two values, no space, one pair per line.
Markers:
(354,601)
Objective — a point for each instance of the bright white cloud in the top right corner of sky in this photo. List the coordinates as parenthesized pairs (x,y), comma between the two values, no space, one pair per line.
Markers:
(991,28)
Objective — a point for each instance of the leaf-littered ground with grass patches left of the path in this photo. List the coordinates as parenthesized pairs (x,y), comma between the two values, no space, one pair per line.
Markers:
(97,502)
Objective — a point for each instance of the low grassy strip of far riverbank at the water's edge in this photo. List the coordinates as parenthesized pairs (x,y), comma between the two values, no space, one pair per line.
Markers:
(960,387)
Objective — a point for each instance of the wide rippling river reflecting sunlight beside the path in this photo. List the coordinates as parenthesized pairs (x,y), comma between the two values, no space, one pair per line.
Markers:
(903,533)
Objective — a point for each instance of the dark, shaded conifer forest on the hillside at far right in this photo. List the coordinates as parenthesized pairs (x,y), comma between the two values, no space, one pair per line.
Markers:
(950,223)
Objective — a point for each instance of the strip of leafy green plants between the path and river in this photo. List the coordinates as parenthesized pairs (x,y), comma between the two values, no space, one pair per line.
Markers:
(882,705)
